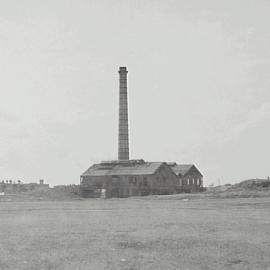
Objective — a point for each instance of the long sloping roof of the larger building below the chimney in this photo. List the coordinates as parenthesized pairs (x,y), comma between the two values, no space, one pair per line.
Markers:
(123,168)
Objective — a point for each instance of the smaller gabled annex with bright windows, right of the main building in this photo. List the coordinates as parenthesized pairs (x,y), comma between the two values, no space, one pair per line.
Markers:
(189,177)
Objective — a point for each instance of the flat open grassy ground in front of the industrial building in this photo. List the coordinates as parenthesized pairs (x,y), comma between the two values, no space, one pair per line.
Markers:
(136,233)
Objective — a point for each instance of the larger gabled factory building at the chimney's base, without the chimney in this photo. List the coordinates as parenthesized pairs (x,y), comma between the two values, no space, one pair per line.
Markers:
(128,178)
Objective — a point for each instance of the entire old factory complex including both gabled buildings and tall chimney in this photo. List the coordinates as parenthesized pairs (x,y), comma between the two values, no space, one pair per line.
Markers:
(125,177)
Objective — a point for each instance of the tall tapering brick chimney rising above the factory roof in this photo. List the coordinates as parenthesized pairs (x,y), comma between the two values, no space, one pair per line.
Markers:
(123,139)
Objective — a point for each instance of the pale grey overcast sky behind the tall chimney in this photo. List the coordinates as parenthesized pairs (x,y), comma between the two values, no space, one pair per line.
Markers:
(198,86)
